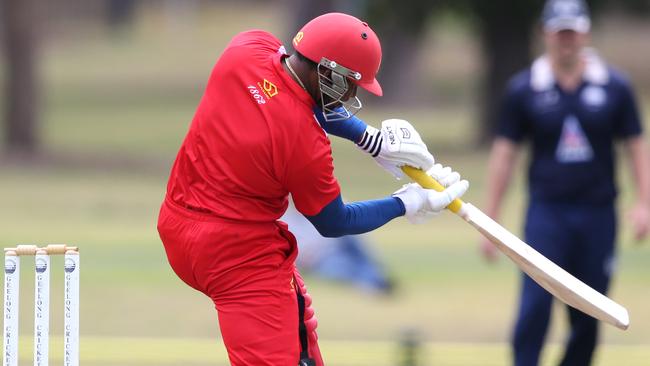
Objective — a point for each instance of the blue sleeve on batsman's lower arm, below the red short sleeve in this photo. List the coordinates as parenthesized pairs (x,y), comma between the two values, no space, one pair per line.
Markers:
(338,219)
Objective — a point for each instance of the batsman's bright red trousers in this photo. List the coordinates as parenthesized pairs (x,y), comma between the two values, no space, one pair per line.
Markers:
(248,271)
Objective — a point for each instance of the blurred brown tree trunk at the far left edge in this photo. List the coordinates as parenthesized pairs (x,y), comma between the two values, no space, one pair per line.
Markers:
(21,86)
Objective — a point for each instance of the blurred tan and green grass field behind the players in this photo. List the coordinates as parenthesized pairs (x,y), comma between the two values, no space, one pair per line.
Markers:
(116,110)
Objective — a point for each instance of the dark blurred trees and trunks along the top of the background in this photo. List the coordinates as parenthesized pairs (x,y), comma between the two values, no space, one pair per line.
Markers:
(504,29)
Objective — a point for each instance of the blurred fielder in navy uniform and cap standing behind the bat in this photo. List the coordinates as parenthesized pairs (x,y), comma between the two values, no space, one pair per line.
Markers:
(571,107)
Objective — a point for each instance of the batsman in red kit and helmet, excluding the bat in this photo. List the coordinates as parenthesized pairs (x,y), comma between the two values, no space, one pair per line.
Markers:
(260,133)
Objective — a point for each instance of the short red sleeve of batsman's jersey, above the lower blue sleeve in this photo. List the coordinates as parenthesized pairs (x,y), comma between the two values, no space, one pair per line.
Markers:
(310,173)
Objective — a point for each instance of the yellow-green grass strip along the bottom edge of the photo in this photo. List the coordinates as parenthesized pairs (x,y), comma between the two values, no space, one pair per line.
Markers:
(128,351)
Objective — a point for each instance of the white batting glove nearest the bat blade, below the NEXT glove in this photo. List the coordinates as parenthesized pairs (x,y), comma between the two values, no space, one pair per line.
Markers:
(422,204)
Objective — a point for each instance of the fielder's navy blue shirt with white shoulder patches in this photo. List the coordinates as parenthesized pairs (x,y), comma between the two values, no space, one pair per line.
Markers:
(572,134)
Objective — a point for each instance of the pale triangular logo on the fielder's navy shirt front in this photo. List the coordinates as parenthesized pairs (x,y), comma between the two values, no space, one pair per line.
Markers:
(574,146)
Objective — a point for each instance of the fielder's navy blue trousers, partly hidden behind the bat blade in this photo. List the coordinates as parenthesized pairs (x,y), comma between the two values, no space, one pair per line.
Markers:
(579,239)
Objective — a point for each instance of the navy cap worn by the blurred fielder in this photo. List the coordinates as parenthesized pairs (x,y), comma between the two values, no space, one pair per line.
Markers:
(566,15)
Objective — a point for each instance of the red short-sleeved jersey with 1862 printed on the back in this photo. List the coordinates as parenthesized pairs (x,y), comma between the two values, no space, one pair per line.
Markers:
(253,140)
